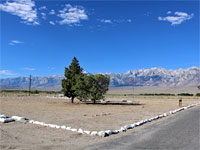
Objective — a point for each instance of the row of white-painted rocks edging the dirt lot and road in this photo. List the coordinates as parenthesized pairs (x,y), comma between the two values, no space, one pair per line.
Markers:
(100,133)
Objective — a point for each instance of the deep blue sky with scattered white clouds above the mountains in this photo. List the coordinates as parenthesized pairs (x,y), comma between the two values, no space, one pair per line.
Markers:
(42,37)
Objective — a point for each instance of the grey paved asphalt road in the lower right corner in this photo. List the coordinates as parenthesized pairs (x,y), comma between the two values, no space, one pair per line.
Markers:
(182,131)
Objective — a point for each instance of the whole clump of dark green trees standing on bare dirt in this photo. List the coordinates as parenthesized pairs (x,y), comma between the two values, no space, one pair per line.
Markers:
(83,86)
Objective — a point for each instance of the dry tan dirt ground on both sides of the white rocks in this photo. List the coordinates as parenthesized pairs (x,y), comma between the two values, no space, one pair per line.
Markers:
(16,135)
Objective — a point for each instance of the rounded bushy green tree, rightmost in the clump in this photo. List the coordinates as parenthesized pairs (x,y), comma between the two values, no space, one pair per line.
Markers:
(98,86)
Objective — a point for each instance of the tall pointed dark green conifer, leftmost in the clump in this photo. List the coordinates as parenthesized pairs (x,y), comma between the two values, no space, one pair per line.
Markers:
(72,76)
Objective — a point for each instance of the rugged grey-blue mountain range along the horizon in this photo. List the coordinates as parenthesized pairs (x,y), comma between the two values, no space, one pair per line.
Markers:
(156,77)
